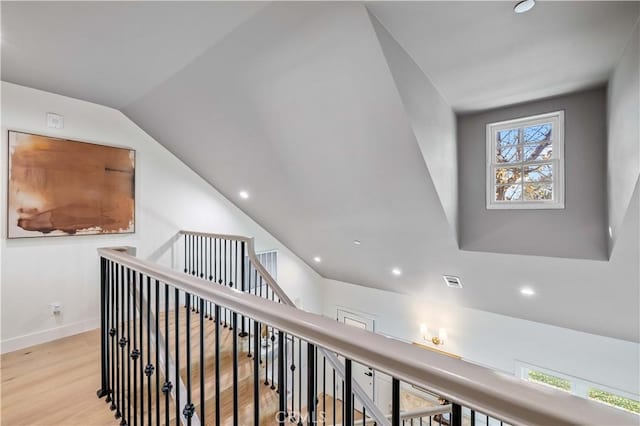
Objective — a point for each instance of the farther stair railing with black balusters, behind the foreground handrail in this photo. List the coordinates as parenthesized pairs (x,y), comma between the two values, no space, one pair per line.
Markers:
(217,257)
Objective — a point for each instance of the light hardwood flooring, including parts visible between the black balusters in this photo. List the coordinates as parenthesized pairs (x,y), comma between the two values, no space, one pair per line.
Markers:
(55,383)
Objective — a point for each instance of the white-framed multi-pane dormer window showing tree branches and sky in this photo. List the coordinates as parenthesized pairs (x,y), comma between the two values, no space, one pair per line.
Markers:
(525,163)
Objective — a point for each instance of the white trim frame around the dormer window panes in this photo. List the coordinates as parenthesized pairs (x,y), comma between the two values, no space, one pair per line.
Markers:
(557,120)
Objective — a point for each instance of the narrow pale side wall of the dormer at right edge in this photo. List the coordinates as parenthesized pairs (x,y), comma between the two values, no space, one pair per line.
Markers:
(623,126)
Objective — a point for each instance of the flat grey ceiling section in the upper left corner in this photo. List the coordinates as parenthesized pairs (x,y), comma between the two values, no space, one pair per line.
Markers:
(106,52)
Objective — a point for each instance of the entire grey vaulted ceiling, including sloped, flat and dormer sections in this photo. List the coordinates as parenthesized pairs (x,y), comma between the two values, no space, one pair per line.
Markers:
(339,120)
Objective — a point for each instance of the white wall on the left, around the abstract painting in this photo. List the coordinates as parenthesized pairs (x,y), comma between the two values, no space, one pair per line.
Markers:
(169,197)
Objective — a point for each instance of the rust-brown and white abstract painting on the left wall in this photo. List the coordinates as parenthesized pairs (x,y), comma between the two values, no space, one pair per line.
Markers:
(63,187)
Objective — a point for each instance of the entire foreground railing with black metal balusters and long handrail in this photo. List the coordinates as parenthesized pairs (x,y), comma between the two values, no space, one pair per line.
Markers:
(469,388)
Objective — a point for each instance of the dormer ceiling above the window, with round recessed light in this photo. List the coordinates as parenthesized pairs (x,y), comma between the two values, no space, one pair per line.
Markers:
(486,56)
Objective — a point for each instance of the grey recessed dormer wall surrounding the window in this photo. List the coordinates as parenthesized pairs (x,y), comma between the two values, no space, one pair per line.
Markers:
(578,230)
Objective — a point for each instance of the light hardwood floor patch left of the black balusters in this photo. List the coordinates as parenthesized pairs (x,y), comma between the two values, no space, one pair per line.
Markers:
(54,383)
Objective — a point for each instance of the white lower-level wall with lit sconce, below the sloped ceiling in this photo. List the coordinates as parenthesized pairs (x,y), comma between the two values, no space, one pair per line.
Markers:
(492,340)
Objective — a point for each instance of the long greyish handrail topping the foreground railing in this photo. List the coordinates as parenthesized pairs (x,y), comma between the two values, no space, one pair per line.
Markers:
(498,395)
